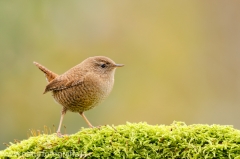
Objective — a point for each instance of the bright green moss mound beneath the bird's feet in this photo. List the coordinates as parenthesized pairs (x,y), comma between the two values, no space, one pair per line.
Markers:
(134,141)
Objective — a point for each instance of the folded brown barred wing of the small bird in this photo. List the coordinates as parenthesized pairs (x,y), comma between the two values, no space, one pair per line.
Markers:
(63,82)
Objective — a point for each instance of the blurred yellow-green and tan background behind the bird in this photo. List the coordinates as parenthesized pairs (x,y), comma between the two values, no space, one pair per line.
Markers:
(182,61)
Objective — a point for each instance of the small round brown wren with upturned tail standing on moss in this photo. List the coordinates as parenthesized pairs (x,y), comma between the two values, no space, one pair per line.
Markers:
(83,86)
